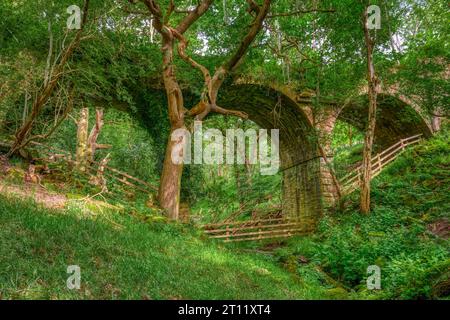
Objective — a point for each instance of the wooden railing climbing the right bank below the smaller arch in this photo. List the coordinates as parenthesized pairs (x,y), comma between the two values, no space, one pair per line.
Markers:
(352,181)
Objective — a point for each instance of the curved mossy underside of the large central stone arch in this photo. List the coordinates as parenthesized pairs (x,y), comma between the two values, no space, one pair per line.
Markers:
(300,160)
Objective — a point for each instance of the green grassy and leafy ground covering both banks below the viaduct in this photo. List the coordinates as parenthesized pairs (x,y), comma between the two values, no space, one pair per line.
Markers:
(122,257)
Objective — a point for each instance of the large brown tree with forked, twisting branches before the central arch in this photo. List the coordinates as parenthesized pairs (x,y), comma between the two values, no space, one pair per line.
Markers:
(170,182)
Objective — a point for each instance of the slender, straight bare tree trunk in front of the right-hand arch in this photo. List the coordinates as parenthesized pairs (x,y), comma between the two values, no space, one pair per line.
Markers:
(370,131)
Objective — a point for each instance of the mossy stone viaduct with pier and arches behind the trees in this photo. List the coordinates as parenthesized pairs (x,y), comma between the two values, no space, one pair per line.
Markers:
(308,185)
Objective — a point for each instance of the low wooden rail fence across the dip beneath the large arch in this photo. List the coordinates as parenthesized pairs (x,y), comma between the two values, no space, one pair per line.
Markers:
(254,229)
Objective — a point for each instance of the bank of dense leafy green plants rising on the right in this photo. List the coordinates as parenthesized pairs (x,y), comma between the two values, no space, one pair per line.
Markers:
(409,199)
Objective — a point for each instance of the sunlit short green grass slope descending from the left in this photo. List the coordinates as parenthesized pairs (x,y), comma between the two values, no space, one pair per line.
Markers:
(122,257)
